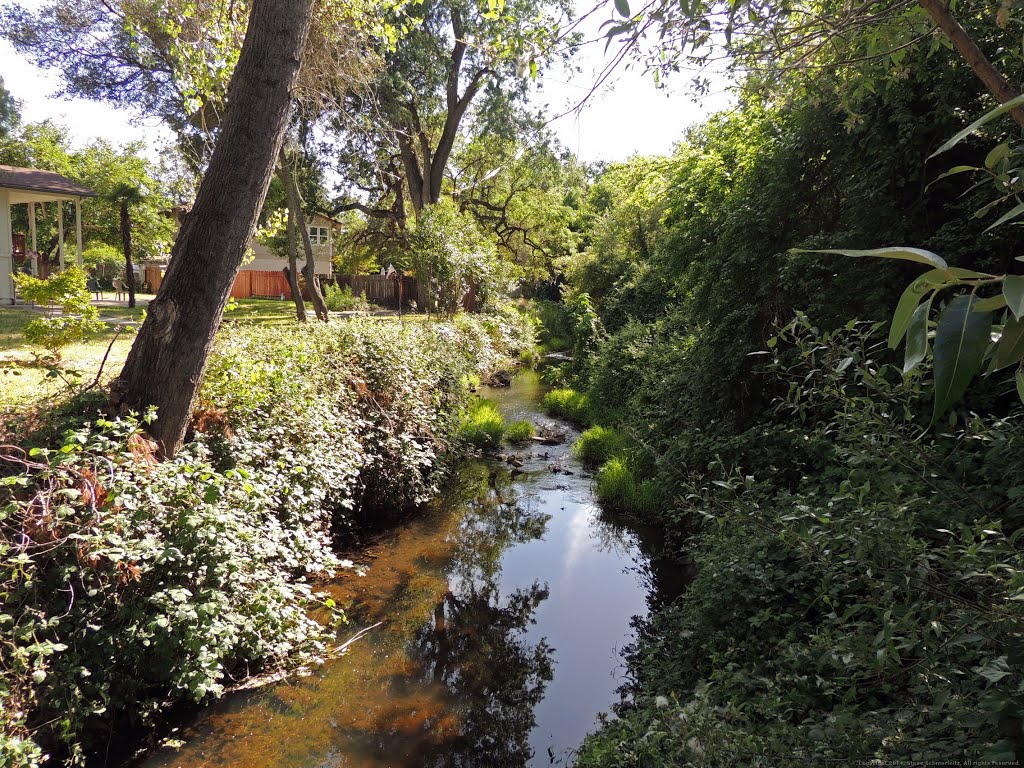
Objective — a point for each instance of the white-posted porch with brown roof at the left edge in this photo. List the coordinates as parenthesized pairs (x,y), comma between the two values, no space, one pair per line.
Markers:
(30,187)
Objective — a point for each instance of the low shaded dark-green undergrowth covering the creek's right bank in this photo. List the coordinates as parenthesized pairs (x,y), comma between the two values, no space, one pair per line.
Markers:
(868,609)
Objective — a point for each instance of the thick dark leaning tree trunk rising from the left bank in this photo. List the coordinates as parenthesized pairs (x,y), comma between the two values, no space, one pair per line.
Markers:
(169,357)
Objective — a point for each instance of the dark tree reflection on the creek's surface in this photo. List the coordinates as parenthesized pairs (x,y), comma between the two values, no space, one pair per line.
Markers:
(477,646)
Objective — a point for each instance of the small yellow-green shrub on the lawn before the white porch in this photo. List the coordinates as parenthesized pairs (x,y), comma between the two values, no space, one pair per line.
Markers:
(67,290)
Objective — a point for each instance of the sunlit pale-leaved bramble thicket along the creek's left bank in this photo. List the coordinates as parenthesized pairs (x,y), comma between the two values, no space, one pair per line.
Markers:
(130,583)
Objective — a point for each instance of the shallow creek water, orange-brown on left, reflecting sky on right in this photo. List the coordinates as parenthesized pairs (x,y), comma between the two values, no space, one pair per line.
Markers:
(500,617)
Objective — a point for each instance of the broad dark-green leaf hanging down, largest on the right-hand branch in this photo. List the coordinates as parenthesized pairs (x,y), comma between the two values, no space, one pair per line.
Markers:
(961,340)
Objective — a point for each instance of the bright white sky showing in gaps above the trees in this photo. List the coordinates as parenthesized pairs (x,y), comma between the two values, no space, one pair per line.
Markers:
(629,116)
